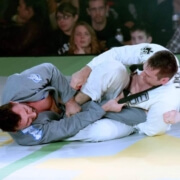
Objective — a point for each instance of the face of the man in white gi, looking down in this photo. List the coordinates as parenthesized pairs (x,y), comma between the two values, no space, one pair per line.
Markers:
(150,77)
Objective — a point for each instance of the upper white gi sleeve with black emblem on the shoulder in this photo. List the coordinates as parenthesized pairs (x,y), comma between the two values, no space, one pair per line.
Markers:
(127,55)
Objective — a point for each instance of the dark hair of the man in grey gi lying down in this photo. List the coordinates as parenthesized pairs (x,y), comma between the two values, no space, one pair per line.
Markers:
(8,119)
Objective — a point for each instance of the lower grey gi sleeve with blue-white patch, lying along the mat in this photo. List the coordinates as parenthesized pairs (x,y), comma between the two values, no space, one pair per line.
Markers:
(56,130)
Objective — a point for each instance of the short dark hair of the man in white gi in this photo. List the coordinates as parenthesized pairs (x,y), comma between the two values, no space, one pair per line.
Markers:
(165,61)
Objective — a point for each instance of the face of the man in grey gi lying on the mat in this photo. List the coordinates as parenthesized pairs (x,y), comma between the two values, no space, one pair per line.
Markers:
(27,113)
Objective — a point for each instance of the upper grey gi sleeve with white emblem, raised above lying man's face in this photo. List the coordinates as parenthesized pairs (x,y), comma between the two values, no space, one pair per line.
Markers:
(34,84)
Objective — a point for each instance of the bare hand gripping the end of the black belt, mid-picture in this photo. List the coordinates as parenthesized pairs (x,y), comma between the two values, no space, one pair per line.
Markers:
(112,105)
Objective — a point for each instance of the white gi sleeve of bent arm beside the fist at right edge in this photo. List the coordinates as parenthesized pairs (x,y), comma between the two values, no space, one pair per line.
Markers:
(154,124)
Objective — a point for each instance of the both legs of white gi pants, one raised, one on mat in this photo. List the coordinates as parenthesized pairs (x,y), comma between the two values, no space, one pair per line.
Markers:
(106,81)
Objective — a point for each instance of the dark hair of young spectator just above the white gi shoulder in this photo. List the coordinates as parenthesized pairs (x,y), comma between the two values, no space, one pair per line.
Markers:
(144,27)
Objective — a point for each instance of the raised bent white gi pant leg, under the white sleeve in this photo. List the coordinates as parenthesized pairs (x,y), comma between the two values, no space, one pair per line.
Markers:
(106,81)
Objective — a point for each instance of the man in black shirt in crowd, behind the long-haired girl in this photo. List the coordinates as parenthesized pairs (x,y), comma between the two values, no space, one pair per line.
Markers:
(104,26)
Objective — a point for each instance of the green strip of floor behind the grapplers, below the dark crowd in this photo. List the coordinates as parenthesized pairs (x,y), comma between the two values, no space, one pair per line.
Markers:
(67,64)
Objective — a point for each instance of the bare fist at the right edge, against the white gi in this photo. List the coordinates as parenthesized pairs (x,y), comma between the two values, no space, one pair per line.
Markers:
(171,117)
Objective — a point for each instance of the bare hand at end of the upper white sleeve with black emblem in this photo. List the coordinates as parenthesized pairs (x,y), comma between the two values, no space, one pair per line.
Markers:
(80,77)
